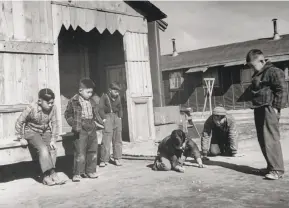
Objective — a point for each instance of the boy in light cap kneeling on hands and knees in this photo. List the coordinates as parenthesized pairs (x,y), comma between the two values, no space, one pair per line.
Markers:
(221,128)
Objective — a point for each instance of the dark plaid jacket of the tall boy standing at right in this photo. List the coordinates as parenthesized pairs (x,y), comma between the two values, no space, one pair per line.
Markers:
(269,87)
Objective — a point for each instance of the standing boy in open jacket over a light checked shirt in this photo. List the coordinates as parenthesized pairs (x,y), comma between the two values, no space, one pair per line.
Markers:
(82,115)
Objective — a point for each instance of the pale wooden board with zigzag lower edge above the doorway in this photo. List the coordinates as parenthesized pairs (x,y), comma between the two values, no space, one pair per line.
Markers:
(88,19)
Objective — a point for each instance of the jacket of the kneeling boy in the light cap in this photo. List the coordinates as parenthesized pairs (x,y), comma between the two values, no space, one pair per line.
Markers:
(228,130)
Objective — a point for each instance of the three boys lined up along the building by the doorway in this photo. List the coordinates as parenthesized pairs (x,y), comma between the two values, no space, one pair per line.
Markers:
(38,126)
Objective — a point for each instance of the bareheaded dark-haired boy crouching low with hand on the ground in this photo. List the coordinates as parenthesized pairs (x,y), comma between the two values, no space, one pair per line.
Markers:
(173,151)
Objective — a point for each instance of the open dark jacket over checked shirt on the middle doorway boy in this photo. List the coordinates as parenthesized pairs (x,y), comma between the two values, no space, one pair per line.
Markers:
(73,113)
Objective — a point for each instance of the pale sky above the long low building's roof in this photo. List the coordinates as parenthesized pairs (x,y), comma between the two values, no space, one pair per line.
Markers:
(200,24)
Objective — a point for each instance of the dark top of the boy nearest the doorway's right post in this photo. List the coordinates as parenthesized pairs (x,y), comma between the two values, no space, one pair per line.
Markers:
(107,106)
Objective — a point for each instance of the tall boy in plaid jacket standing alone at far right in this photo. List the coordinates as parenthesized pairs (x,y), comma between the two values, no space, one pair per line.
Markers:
(269,93)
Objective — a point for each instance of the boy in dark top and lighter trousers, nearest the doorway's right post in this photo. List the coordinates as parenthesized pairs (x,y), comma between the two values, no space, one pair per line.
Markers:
(110,110)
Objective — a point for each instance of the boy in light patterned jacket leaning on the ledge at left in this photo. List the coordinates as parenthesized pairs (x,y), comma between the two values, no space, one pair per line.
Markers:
(38,125)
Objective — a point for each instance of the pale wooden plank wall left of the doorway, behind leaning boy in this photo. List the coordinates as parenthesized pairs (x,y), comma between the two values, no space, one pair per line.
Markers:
(26,58)
